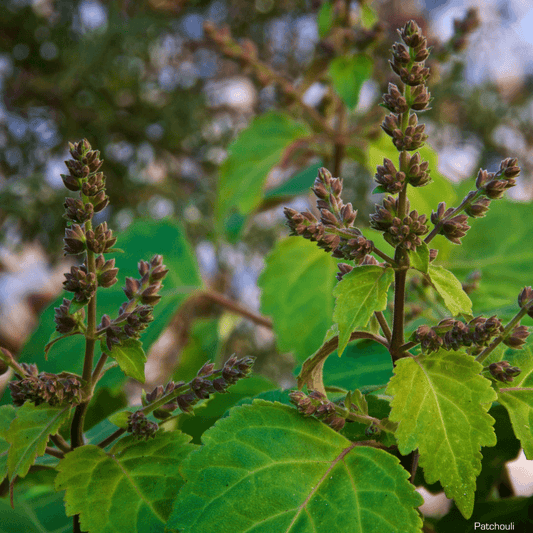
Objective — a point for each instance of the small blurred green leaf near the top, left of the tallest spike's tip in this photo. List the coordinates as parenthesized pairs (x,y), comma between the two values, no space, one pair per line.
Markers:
(348,73)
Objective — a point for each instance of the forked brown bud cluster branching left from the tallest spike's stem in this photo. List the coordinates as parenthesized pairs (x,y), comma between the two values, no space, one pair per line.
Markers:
(334,232)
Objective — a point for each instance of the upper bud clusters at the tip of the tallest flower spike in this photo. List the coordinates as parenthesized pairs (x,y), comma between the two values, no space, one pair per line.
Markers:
(408,63)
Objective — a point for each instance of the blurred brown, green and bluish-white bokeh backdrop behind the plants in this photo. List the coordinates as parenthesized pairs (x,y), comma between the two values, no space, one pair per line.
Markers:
(162,96)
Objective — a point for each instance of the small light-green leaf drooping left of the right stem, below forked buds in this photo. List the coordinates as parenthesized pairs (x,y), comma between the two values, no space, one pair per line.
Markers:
(361,292)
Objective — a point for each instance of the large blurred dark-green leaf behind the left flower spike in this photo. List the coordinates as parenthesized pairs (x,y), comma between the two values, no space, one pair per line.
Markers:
(142,240)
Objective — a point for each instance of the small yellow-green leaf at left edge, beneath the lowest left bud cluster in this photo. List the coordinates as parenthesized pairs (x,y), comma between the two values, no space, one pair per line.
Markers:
(28,435)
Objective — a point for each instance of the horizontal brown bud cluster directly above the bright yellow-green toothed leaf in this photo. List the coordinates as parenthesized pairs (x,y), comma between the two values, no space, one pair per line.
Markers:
(451,334)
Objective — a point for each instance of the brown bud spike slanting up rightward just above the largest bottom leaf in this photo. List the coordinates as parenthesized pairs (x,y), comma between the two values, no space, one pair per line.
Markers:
(207,381)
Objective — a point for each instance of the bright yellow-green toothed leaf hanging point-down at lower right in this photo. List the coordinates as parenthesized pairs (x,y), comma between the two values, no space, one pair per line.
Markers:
(440,402)
